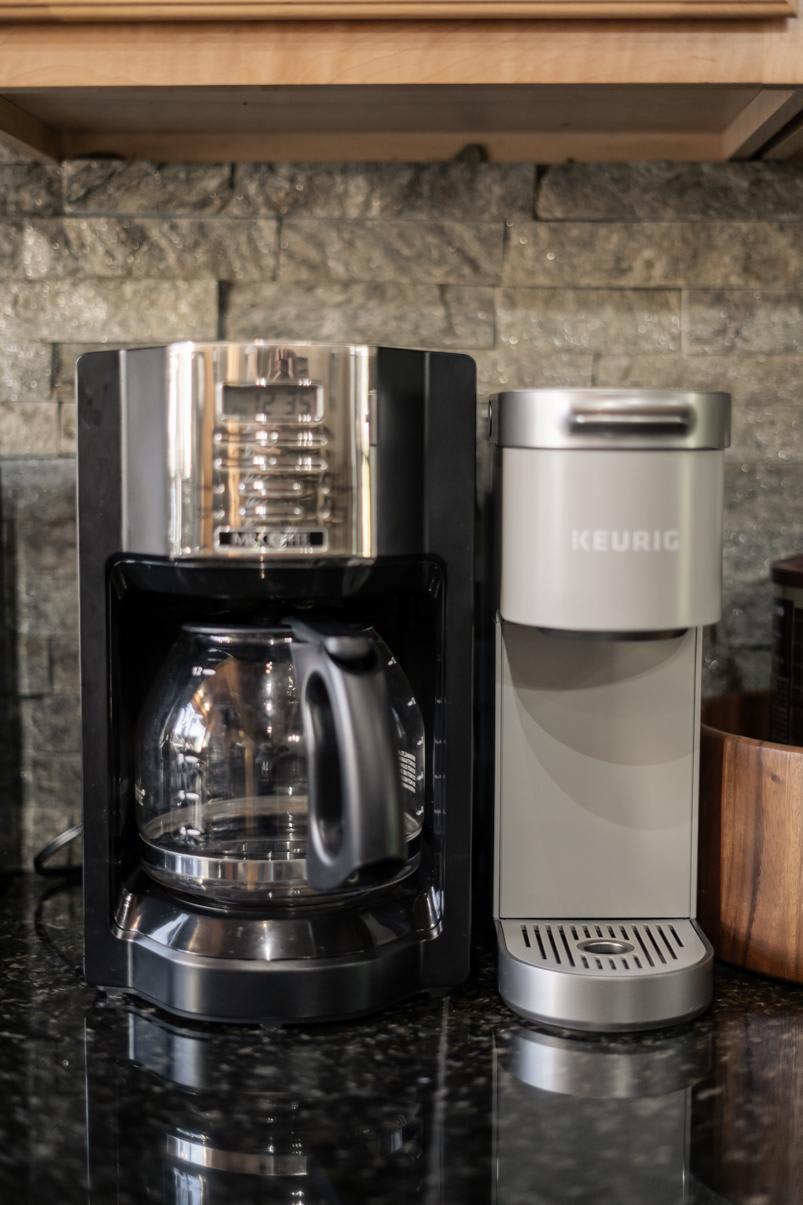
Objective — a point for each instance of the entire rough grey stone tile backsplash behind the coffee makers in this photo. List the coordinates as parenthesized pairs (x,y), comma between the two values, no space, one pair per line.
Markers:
(665,275)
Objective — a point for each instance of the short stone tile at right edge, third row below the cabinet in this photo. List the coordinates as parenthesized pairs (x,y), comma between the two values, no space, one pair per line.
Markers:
(720,321)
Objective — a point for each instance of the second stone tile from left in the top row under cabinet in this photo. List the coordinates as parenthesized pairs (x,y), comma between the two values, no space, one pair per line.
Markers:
(138,187)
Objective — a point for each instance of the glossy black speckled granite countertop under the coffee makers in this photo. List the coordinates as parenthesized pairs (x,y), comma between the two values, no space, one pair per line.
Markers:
(439,1101)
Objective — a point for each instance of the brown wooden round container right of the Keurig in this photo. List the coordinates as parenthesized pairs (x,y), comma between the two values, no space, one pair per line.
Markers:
(751,901)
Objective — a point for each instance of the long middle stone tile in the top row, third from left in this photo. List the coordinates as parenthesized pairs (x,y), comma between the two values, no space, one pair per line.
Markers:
(456,192)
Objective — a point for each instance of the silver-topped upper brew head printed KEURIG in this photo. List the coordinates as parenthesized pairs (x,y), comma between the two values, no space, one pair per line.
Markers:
(612,508)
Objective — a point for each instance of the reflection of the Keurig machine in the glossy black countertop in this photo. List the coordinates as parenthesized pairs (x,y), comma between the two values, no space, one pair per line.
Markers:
(600,1122)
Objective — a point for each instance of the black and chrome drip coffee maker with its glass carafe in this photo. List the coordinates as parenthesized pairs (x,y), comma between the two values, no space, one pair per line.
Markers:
(277,562)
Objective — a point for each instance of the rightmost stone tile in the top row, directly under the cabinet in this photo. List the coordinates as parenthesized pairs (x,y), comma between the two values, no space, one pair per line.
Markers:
(666,191)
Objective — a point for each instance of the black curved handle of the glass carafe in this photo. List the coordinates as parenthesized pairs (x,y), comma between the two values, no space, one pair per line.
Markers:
(355,793)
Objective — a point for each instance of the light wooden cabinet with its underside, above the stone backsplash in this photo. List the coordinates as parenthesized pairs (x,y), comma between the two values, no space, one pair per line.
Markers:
(507,90)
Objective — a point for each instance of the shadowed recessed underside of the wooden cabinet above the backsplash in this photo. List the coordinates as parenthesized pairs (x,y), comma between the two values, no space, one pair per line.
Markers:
(525,125)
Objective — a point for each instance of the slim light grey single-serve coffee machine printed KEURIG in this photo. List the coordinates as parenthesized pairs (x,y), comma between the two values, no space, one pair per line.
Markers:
(609,566)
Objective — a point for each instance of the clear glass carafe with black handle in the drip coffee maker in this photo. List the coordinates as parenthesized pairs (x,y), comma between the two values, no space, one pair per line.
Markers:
(279,765)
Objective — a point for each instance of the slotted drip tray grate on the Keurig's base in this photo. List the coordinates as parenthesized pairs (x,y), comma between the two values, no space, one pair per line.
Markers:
(606,948)
